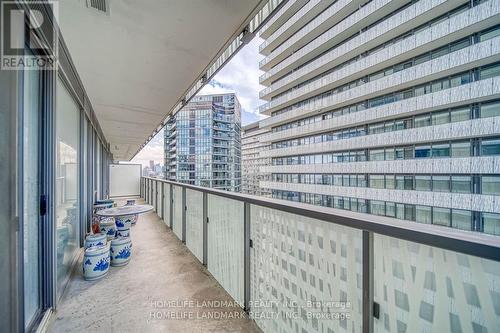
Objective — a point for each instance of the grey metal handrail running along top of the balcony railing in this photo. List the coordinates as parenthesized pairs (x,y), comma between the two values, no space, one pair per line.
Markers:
(466,242)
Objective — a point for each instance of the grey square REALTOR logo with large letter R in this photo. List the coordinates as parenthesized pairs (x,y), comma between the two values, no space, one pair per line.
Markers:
(29,39)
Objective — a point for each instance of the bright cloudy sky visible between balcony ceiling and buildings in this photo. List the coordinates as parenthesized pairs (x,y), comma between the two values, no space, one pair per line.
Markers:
(241,76)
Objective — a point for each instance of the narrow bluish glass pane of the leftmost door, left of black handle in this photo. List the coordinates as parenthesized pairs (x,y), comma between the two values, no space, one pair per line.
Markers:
(31,194)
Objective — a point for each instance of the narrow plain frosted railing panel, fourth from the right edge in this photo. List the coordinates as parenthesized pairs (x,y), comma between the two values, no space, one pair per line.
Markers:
(194,222)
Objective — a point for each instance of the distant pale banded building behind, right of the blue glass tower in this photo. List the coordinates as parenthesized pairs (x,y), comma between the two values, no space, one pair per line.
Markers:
(251,161)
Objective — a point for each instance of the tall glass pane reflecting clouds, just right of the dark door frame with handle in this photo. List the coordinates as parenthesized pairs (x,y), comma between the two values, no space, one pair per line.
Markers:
(67,194)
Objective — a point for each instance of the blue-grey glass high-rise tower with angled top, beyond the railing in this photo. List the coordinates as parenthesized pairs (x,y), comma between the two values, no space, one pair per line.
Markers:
(203,143)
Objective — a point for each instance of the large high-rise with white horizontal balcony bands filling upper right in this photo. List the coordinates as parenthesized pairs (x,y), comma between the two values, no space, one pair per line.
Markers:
(389,108)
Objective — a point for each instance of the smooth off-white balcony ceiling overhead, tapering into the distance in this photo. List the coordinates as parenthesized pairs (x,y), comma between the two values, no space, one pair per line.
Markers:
(136,62)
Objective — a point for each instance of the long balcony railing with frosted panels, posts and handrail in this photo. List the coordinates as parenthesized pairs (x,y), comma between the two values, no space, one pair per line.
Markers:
(292,265)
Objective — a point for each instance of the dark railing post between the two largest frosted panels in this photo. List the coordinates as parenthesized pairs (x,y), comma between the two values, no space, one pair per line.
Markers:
(367,281)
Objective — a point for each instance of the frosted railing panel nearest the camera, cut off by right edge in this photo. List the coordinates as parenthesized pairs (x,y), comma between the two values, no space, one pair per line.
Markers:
(426,289)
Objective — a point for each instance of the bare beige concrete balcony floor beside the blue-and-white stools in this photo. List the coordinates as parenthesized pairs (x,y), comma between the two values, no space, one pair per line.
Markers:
(133,298)
